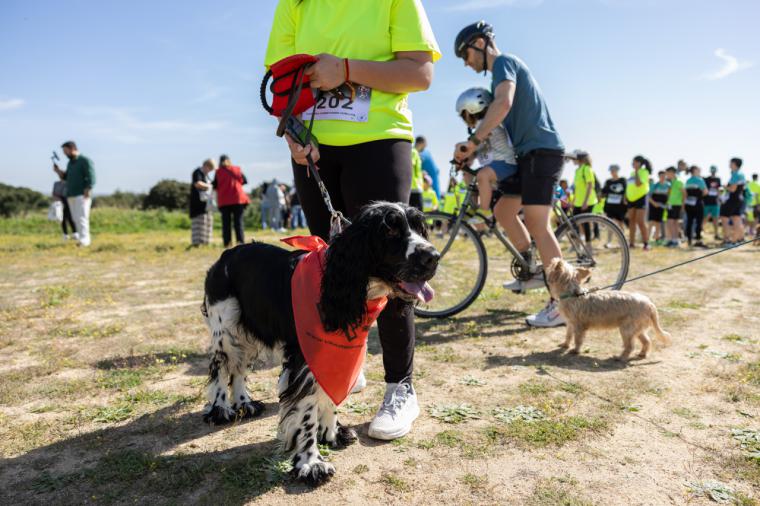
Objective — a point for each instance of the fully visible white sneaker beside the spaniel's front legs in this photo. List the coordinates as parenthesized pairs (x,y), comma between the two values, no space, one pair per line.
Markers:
(396,414)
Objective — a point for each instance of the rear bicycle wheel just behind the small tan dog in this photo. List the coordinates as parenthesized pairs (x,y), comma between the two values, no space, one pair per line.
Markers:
(596,242)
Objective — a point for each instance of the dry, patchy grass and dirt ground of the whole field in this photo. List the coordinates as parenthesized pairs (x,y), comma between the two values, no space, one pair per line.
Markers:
(103,368)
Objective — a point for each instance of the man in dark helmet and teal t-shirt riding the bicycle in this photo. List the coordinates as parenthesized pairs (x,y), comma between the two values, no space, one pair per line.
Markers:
(518,104)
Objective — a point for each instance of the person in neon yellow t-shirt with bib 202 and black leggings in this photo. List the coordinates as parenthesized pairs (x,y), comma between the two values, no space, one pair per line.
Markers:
(384,51)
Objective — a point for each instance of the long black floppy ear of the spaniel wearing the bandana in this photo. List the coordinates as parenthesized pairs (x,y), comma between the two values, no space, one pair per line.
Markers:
(344,284)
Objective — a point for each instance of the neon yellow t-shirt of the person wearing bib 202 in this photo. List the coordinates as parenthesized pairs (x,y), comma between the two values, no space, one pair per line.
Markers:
(365,30)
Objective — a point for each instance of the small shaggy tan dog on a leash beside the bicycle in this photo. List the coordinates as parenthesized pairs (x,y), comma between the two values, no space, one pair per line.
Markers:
(632,313)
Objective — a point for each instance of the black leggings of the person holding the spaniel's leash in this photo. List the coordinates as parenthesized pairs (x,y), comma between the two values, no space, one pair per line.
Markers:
(354,176)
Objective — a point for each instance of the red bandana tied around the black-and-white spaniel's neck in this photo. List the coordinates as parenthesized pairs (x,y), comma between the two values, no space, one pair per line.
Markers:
(334,358)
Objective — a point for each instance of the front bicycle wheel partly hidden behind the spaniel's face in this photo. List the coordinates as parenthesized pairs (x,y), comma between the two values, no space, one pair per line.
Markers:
(462,268)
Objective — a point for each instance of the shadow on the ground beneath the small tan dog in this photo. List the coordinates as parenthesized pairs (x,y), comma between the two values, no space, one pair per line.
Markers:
(561,359)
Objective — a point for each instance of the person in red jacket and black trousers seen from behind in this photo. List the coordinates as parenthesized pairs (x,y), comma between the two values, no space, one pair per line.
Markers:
(231,199)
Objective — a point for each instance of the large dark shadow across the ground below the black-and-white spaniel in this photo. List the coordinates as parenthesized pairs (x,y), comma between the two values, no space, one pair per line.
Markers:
(128,462)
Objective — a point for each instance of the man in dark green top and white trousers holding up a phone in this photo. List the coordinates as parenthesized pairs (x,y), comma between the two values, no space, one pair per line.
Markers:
(80,179)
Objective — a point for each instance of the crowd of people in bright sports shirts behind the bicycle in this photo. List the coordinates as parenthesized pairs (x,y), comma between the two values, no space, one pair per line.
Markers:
(669,208)
